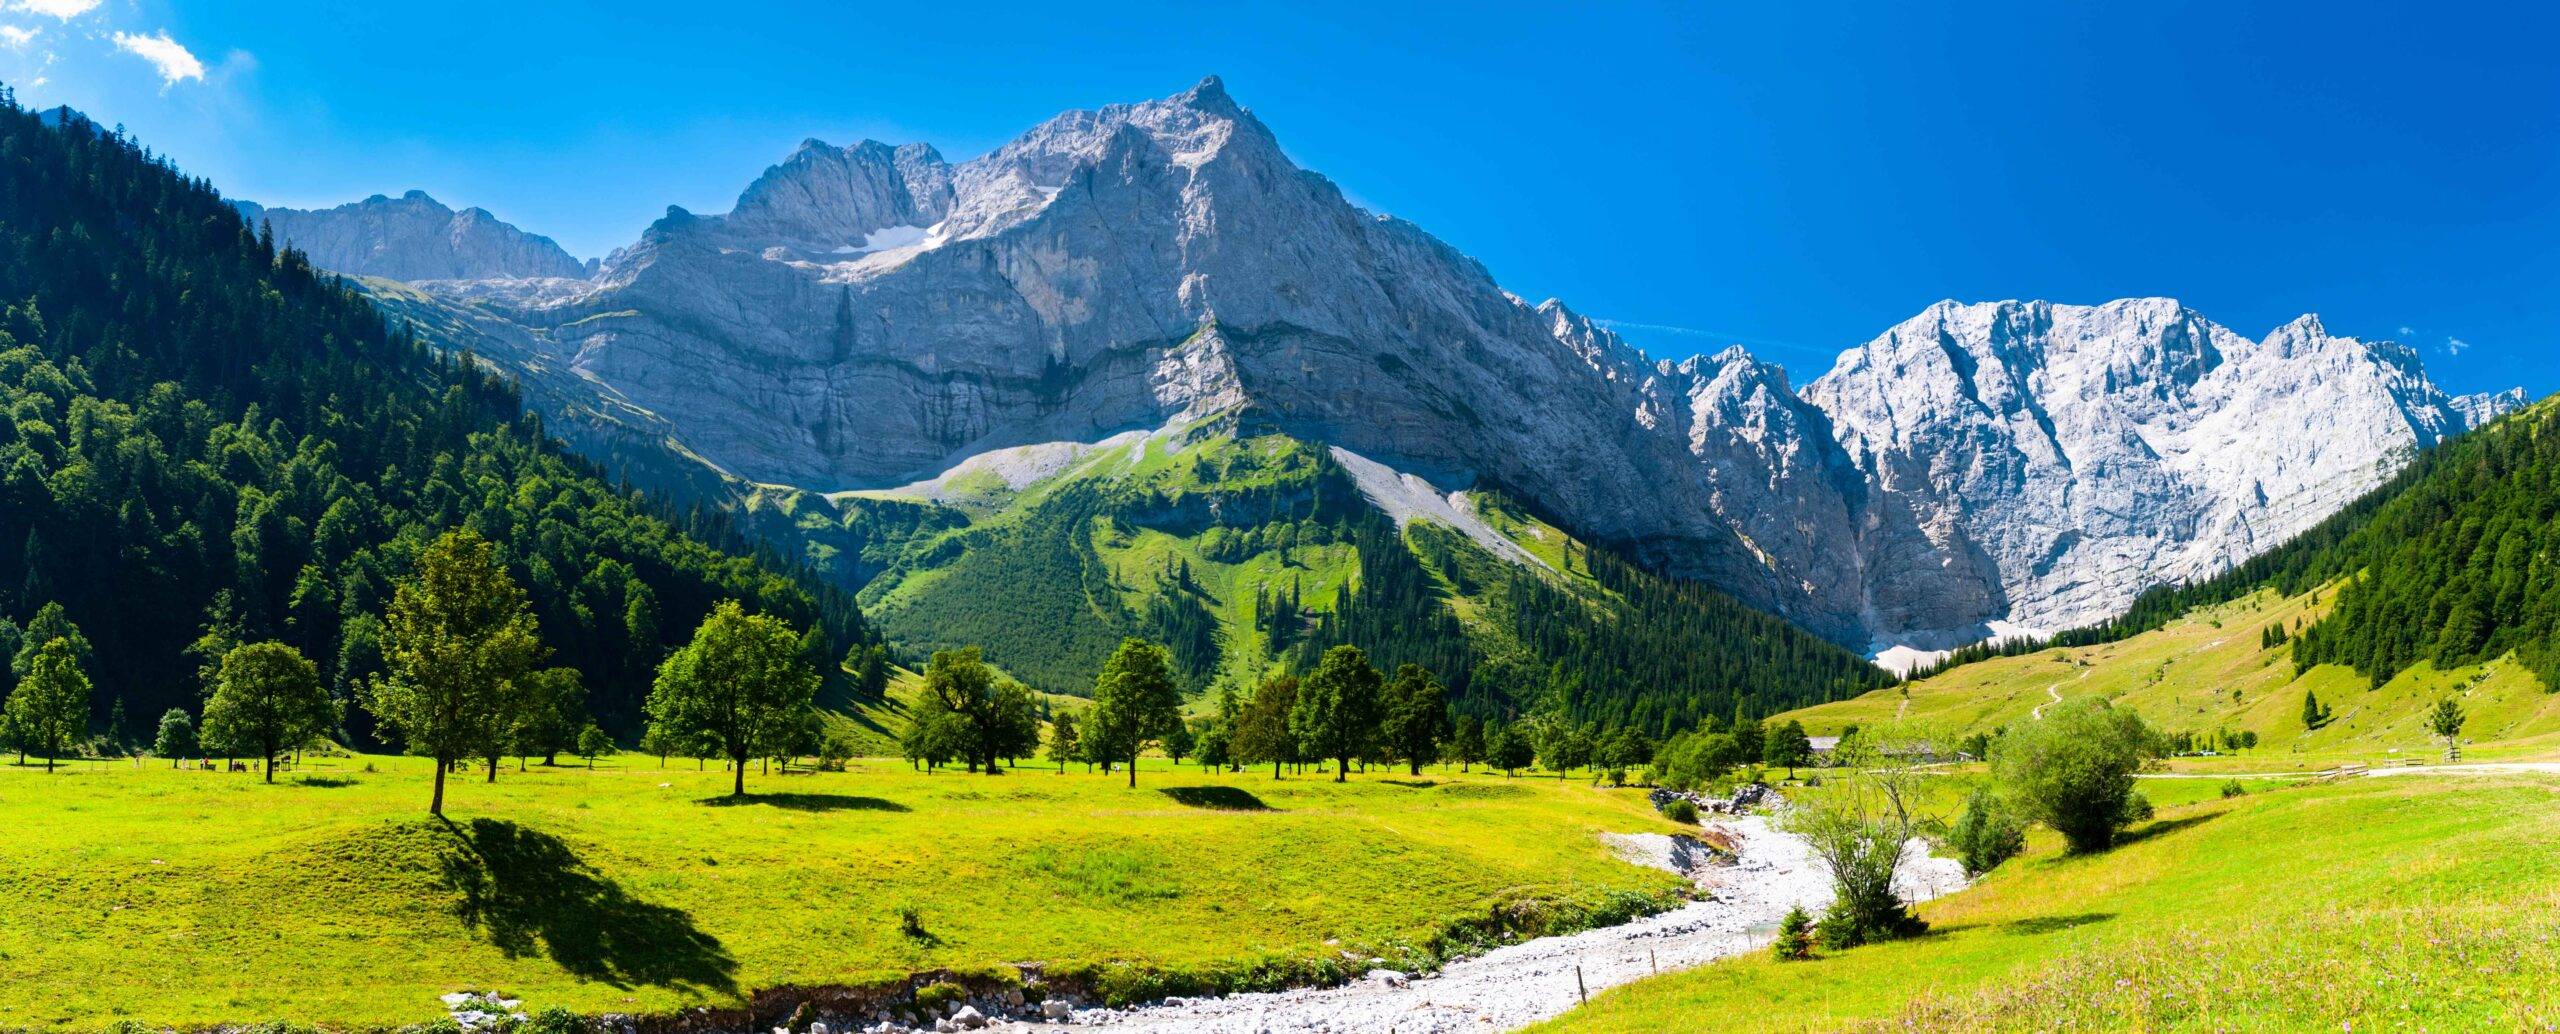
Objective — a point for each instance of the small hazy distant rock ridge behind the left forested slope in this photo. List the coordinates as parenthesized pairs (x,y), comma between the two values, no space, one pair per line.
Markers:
(413,237)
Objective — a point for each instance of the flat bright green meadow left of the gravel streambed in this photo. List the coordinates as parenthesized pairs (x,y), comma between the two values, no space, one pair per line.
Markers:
(183,897)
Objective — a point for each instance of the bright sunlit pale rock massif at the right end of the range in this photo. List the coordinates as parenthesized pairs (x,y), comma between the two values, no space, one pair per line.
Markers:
(2042,465)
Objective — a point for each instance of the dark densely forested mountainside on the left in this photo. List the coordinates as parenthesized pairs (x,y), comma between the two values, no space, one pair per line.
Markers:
(206,441)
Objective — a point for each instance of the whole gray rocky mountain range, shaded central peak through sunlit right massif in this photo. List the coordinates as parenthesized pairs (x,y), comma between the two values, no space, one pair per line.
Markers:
(874,316)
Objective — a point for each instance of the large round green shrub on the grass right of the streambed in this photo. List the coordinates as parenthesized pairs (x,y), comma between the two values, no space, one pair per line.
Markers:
(2075,769)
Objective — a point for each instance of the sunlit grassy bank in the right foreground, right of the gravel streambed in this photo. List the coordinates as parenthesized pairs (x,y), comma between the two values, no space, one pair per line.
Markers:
(2367,905)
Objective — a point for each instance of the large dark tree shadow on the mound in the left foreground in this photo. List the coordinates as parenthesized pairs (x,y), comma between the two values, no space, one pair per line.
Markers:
(531,895)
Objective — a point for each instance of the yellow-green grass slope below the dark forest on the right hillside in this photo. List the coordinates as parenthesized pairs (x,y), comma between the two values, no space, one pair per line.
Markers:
(2213,672)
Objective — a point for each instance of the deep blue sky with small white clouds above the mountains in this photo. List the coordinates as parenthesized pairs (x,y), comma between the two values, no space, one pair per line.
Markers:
(1793,178)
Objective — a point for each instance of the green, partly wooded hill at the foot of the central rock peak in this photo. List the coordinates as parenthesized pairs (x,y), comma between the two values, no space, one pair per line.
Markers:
(1253,552)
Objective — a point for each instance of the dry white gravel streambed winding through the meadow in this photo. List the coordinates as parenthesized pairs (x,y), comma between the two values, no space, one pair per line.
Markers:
(1532,982)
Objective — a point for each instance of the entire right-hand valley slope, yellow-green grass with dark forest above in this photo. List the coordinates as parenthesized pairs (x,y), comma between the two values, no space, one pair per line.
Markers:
(2438,585)
